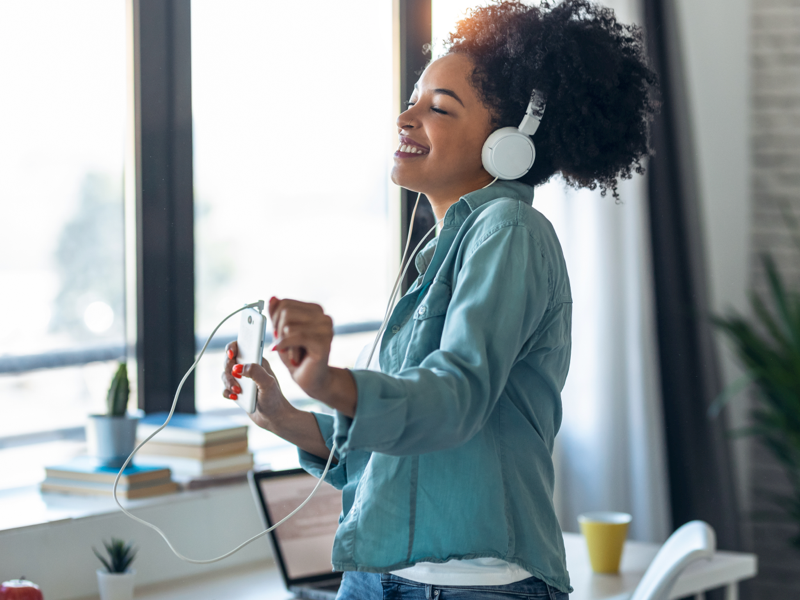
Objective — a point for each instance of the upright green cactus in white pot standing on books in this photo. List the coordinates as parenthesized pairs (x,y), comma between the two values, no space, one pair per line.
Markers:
(111,437)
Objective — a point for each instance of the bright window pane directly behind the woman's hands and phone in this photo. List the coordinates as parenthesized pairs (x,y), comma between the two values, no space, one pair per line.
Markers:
(293,108)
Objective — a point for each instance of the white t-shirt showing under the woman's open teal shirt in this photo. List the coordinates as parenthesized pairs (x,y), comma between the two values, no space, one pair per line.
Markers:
(473,571)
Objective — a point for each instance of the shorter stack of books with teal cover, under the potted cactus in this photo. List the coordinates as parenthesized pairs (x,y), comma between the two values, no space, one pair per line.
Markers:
(85,475)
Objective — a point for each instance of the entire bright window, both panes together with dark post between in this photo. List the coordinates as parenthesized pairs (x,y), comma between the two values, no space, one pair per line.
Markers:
(293,132)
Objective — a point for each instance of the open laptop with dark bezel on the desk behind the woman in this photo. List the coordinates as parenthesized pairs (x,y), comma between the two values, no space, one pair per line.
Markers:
(302,545)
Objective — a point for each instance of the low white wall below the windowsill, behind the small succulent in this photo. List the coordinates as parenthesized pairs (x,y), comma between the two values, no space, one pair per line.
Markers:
(205,524)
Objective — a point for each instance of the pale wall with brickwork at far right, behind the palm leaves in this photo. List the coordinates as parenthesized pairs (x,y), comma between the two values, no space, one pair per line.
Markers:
(742,63)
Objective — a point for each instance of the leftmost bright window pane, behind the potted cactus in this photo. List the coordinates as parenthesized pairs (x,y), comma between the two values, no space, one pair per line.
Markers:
(62,116)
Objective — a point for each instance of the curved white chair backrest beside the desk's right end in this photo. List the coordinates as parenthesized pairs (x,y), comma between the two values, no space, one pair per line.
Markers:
(690,542)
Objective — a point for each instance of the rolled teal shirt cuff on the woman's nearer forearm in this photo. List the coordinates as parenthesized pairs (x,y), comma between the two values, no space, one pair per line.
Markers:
(380,413)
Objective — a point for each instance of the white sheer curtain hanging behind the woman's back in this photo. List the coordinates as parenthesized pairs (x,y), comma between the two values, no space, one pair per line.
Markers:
(610,452)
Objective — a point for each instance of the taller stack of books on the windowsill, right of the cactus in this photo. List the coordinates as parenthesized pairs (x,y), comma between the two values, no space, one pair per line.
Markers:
(195,445)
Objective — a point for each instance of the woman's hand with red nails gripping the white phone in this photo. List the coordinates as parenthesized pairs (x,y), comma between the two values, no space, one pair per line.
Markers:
(270,401)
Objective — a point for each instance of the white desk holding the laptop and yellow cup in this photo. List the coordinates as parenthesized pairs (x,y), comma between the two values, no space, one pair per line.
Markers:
(726,569)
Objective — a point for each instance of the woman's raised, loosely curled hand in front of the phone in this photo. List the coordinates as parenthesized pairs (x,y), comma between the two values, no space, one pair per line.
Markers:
(303,334)
